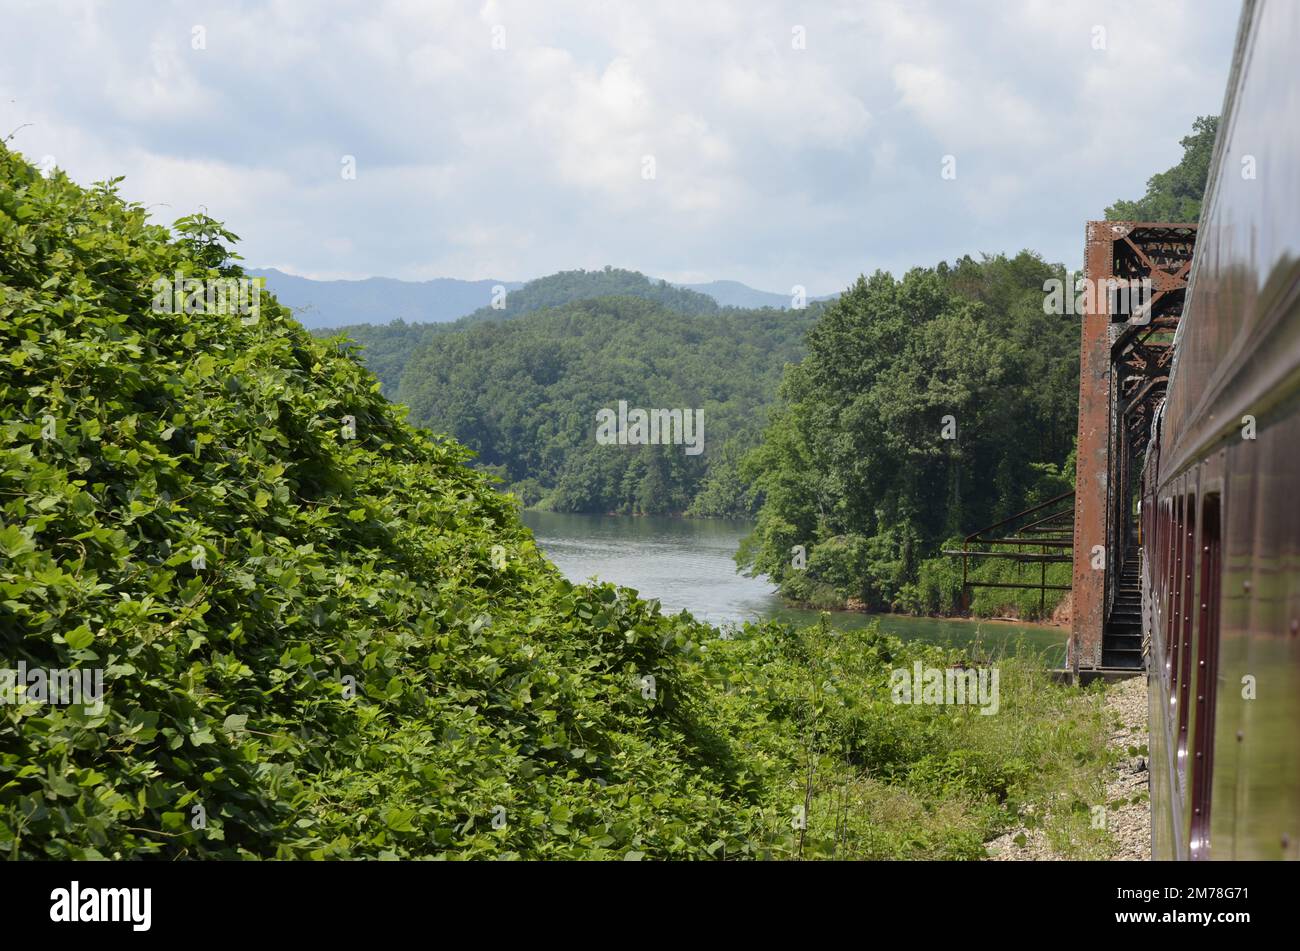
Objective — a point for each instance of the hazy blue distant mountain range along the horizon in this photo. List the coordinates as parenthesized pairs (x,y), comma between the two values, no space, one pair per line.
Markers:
(380,301)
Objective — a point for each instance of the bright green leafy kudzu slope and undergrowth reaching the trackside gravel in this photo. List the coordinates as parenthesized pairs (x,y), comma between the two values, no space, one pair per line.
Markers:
(324,636)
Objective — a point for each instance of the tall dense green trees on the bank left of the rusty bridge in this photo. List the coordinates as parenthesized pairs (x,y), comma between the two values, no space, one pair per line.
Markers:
(926,407)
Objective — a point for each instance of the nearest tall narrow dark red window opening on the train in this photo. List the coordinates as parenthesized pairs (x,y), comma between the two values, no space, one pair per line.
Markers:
(1207,676)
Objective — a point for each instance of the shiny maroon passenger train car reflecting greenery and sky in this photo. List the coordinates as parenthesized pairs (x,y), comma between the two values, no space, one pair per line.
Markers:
(1221,488)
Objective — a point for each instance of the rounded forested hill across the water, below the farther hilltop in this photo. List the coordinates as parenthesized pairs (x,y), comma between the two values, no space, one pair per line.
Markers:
(525,396)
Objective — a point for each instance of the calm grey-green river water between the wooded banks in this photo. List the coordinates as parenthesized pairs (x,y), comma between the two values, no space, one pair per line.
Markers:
(687,564)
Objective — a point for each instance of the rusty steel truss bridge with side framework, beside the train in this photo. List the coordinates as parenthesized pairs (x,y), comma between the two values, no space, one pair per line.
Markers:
(1136,283)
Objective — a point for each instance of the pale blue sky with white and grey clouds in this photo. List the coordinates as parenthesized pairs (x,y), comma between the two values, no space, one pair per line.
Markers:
(759,141)
